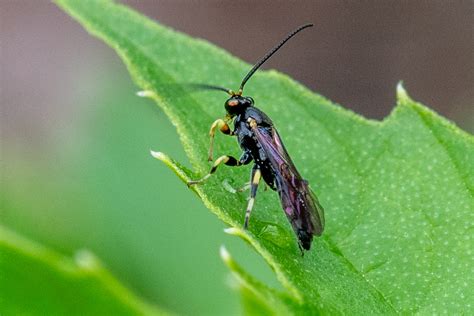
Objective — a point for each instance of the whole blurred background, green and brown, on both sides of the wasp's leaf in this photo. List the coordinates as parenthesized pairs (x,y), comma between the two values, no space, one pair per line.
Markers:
(76,169)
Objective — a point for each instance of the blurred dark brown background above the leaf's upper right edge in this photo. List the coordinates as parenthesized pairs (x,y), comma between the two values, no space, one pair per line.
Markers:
(356,53)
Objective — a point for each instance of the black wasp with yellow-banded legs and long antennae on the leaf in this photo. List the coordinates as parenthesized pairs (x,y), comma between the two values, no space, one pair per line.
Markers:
(261,143)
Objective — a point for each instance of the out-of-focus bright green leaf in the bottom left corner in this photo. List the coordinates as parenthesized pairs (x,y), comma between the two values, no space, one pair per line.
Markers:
(39,281)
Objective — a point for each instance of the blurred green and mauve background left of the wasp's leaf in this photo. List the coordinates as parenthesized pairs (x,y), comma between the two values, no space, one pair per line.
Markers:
(77,172)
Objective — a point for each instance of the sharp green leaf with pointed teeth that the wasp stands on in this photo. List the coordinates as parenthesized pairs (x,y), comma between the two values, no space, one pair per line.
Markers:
(398,194)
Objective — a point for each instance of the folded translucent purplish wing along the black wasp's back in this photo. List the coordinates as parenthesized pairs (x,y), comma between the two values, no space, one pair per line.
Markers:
(299,203)
